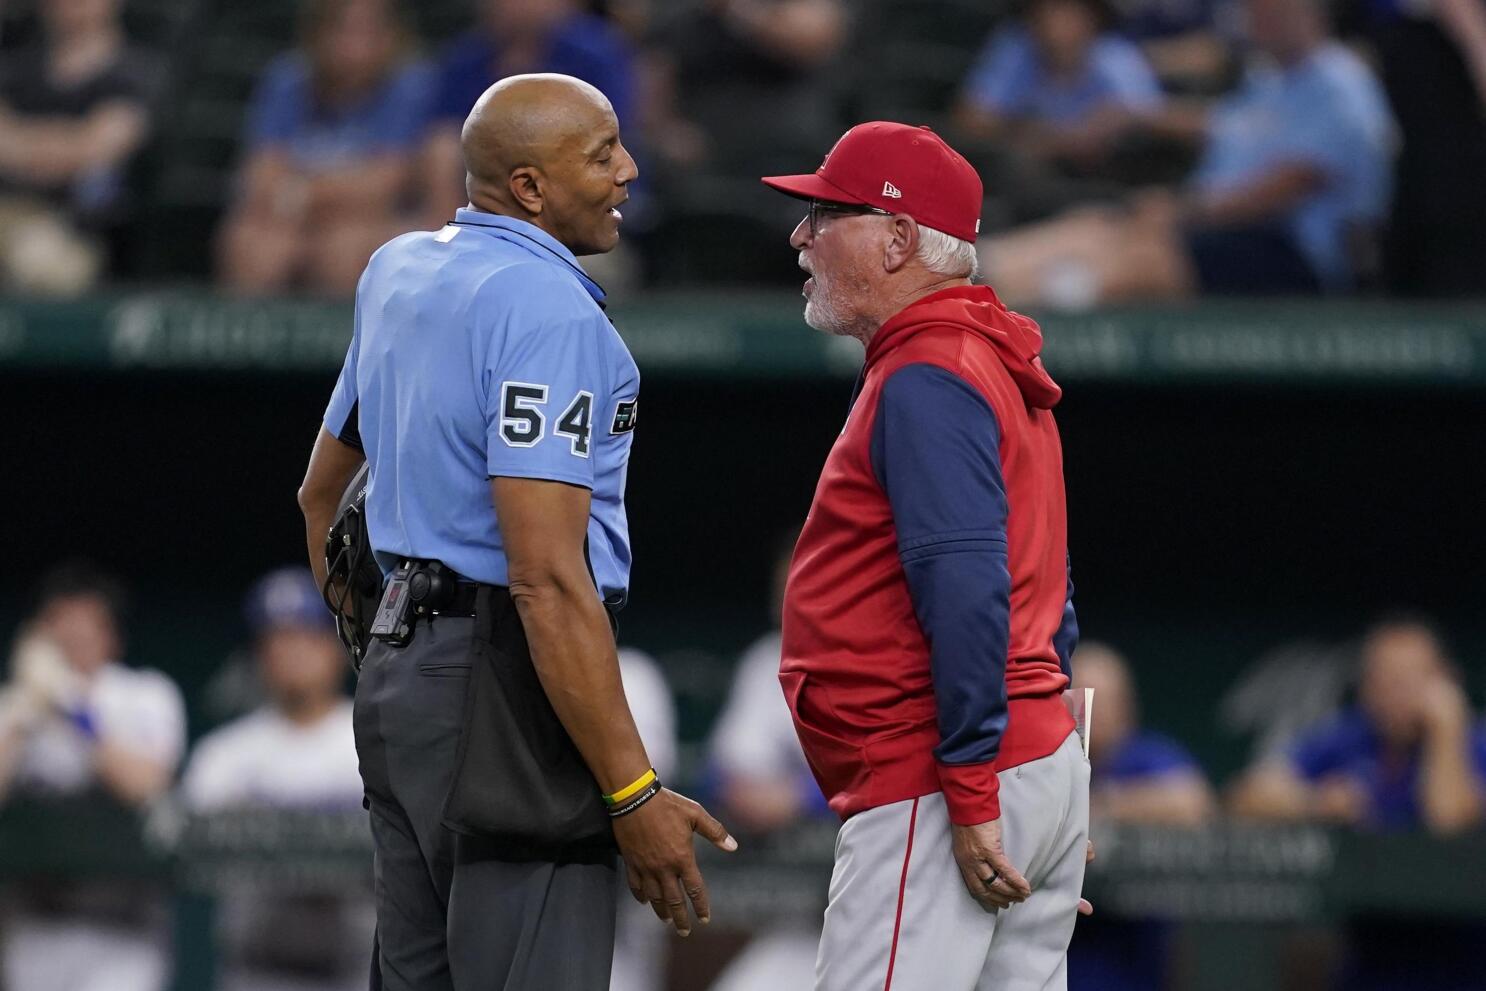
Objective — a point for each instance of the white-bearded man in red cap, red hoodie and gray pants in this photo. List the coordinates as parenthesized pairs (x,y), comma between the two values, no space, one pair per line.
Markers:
(928,616)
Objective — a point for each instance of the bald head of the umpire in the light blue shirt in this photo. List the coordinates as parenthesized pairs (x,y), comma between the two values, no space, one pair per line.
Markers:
(546,149)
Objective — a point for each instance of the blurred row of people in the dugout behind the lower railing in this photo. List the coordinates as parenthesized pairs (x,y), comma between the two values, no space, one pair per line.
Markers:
(1393,747)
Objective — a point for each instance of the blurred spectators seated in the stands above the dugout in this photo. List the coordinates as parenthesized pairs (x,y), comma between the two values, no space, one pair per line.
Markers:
(1132,149)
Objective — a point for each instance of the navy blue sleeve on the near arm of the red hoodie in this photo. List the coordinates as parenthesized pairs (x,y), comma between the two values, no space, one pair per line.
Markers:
(935,452)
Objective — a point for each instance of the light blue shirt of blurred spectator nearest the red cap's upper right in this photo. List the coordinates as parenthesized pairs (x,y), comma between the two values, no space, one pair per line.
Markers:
(1011,79)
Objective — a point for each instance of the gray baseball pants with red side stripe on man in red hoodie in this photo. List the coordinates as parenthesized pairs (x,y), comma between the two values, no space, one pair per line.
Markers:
(901,919)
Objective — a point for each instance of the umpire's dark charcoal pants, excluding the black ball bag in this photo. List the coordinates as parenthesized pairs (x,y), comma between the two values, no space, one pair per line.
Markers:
(452,916)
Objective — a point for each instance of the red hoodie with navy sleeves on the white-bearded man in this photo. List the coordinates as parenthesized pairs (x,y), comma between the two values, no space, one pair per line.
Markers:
(928,616)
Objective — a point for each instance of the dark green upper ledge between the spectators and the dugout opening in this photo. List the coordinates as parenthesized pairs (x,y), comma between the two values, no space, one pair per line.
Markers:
(762,335)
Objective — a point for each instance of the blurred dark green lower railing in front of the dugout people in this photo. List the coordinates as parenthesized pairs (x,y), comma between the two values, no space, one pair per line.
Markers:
(1228,882)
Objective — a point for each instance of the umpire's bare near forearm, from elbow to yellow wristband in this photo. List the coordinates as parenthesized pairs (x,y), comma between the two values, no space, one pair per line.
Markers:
(573,650)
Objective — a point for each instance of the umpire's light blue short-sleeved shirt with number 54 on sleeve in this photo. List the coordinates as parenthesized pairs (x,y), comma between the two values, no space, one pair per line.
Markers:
(482,350)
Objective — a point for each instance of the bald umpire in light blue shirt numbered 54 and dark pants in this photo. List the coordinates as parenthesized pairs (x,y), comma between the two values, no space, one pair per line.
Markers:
(502,764)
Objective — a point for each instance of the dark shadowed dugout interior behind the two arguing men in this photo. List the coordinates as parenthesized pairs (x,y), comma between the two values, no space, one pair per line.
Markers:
(1209,522)
